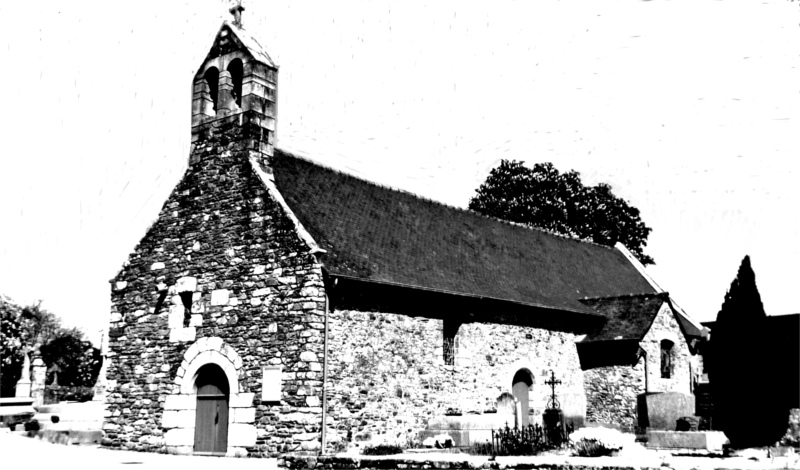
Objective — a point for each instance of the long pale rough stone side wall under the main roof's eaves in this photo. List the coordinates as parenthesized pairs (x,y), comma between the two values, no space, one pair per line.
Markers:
(388,377)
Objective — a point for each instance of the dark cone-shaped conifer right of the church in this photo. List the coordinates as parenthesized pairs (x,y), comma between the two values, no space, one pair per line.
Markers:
(747,406)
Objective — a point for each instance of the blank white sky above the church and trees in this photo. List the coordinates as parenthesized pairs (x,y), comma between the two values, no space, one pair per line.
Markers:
(688,108)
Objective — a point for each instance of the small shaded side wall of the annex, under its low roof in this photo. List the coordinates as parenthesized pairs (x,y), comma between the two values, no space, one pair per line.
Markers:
(611,394)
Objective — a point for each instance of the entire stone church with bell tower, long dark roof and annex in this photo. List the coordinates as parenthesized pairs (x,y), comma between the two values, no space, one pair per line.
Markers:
(277,306)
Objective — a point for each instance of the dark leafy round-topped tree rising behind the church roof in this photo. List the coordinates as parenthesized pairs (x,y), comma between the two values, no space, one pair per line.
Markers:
(546,198)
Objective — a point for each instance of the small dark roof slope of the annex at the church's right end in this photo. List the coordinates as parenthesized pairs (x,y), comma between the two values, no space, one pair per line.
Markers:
(627,317)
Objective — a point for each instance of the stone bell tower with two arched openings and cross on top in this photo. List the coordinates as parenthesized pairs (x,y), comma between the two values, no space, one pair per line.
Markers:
(236,85)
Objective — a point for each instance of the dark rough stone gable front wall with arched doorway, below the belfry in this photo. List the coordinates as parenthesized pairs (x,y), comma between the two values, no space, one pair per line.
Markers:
(257,300)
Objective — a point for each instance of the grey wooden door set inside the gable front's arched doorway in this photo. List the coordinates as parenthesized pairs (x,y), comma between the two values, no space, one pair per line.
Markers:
(211,423)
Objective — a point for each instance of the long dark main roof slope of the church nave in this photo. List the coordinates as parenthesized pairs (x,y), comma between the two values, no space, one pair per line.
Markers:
(380,234)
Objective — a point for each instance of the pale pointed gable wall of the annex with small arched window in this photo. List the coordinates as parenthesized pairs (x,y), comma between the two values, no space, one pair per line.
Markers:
(665,326)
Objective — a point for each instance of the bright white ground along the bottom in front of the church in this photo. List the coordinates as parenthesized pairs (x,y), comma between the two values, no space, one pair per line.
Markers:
(21,451)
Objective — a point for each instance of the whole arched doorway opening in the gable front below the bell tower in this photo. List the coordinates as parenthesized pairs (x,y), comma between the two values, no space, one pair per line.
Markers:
(211,422)
